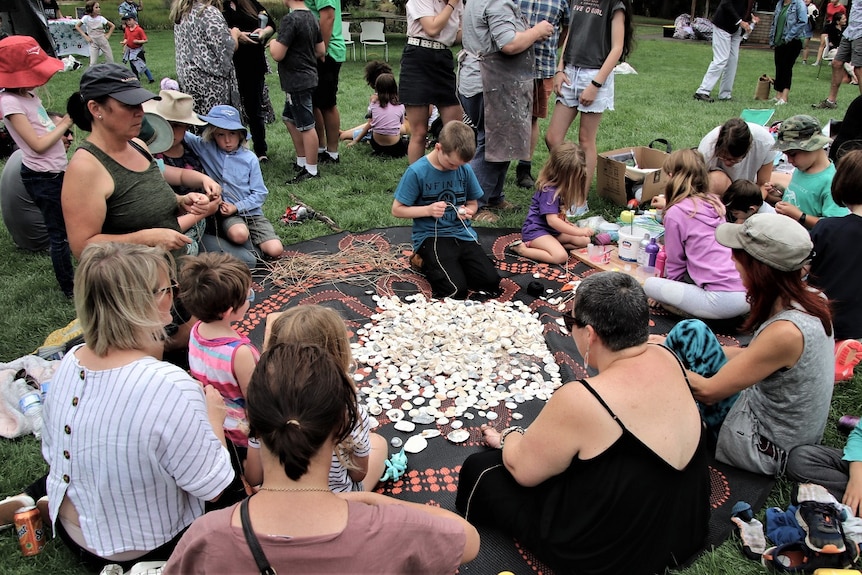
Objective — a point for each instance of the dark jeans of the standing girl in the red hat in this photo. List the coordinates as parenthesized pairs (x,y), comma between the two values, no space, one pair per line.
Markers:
(45,188)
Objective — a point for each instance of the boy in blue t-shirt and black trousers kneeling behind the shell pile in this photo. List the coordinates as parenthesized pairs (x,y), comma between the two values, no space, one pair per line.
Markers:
(440,193)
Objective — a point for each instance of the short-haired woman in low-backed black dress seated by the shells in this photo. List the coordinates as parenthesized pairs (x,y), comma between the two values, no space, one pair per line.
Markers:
(616,461)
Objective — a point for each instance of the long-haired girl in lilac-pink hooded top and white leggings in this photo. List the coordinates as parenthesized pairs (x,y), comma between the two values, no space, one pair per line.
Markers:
(702,280)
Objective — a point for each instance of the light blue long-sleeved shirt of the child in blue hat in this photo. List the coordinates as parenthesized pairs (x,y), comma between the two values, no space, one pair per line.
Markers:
(238,173)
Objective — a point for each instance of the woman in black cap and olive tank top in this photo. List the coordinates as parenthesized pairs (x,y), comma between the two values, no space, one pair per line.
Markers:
(113,190)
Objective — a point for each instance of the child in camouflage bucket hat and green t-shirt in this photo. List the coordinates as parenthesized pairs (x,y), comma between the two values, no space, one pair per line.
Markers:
(807,197)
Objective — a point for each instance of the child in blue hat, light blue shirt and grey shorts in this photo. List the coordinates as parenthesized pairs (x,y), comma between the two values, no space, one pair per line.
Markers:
(223,151)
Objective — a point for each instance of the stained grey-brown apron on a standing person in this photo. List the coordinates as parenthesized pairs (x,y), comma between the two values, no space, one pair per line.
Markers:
(508,101)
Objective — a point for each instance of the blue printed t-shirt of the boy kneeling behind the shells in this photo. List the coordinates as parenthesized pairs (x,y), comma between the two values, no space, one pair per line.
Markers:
(423,184)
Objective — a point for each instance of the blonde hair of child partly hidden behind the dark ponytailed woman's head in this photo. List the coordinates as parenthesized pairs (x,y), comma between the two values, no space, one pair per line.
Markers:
(323,327)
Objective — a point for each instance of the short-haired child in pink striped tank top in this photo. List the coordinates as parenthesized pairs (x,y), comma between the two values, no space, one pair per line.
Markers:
(216,289)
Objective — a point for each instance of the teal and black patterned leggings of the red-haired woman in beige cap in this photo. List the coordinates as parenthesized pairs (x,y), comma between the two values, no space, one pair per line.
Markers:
(700,351)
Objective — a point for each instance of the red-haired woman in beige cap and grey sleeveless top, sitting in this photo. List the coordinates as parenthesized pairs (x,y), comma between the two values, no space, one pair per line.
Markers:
(763,400)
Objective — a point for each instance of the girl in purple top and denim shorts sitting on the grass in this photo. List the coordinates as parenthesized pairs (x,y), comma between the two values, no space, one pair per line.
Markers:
(547,235)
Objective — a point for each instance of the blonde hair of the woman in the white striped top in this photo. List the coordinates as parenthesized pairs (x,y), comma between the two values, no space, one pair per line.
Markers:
(116,300)
